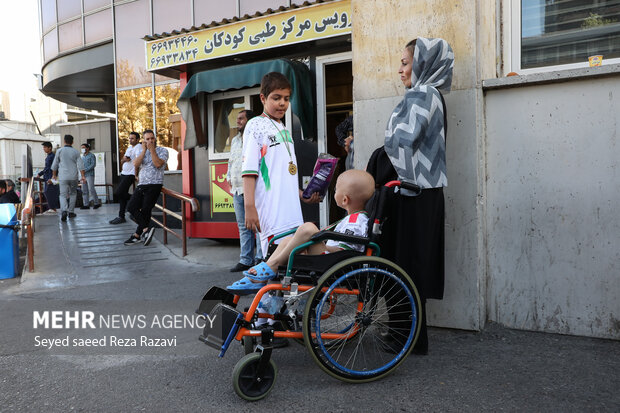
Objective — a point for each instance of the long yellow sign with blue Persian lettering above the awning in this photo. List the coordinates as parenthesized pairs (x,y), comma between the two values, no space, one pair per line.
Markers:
(294,26)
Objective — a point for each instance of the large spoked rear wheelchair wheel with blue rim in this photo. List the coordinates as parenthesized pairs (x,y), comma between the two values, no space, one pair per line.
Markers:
(362,319)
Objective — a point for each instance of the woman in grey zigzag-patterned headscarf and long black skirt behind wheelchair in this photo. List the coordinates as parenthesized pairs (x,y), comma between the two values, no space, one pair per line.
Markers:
(415,151)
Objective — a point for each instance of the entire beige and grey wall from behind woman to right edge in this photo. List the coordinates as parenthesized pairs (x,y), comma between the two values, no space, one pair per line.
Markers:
(532,228)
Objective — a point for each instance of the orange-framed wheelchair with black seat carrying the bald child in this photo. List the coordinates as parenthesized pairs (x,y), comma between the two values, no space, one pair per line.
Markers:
(359,315)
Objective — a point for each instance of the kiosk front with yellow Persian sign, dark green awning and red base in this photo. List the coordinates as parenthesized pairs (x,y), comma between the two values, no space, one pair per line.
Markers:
(220,67)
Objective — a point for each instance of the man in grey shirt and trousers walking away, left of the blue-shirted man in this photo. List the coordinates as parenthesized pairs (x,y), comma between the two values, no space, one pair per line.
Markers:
(65,167)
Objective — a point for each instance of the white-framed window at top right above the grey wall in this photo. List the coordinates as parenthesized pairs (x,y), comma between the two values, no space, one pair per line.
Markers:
(551,33)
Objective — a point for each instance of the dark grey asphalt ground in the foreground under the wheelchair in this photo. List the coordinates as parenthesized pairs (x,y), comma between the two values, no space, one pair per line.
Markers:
(494,370)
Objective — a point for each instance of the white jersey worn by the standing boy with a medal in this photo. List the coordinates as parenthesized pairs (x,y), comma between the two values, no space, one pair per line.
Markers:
(277,191)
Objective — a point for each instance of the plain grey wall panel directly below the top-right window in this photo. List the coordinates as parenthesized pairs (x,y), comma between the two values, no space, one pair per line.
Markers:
(553,168)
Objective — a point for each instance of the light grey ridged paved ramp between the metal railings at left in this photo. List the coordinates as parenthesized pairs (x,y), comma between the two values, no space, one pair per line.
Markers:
(88,250)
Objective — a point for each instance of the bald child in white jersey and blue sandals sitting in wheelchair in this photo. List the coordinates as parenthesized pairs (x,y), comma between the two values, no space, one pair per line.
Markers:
(353,190)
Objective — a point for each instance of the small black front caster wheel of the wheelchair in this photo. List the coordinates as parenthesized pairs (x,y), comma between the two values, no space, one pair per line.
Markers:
(247,383)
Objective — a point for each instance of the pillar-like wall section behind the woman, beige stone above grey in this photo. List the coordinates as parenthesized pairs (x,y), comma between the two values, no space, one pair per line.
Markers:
(378,41)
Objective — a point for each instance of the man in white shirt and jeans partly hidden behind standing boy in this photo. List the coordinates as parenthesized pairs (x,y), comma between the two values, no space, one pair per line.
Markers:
(250,249)
